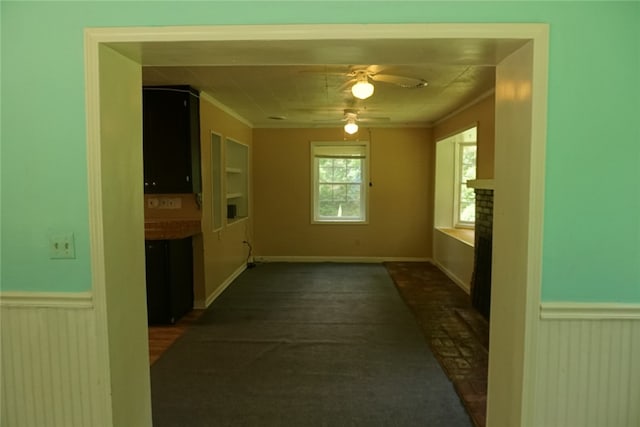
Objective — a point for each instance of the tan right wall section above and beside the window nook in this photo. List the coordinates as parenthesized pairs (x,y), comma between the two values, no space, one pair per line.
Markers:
(482,113)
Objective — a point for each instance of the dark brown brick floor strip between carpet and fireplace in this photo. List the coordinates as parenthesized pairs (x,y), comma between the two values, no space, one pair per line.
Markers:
(457,334)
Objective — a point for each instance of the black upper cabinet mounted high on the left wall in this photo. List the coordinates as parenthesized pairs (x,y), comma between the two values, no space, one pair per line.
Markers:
(171,139)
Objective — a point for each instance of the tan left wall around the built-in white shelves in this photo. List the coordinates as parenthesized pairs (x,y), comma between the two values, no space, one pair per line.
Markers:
(223,252)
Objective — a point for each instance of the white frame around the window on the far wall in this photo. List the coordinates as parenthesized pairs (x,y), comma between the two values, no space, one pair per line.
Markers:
(314,182)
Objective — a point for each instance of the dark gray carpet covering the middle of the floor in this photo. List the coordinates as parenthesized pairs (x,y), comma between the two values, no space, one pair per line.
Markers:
(305,345)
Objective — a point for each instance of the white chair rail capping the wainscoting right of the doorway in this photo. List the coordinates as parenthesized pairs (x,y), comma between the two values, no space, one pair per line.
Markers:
(586,311)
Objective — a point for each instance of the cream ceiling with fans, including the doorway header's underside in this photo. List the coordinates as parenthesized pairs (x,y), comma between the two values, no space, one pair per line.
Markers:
(302,83)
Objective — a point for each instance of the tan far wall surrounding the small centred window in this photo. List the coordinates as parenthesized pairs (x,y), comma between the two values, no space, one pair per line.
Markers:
(400,200)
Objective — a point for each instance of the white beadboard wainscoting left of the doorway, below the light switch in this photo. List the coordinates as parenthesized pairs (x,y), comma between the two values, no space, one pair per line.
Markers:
(48,363)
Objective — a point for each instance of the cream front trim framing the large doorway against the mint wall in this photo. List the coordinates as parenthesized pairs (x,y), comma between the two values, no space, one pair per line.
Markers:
(538,33)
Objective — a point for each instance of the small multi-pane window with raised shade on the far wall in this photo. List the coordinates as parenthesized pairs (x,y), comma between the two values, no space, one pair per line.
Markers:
(339,181)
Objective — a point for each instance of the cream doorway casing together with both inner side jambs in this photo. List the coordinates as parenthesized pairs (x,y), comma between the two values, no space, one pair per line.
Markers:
(521,87)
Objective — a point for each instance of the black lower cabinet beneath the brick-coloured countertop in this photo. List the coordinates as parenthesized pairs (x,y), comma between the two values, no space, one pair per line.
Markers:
(169,269)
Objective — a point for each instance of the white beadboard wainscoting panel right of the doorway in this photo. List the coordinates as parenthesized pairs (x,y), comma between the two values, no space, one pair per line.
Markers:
(588,371)
